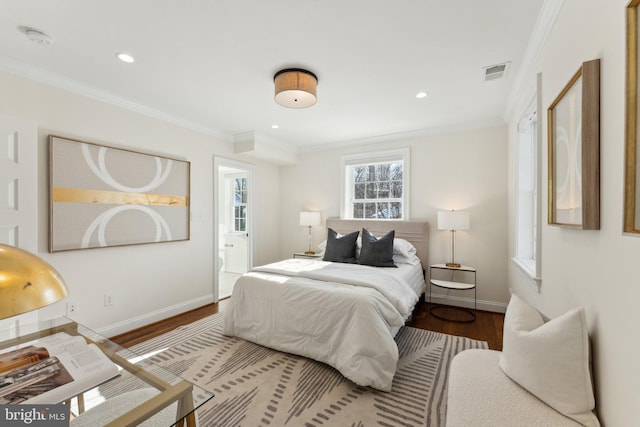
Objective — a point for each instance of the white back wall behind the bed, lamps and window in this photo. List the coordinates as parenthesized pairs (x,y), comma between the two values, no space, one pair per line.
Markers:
(464,170)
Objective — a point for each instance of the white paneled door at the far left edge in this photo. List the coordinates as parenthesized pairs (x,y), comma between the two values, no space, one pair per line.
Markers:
(18,194)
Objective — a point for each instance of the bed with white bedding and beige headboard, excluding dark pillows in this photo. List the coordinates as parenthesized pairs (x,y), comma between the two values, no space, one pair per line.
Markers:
(344,315)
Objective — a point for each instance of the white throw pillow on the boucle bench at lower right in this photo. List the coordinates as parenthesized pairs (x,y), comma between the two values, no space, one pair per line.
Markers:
(550,360)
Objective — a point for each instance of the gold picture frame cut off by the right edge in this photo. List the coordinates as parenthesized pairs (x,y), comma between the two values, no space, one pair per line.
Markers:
(632,180)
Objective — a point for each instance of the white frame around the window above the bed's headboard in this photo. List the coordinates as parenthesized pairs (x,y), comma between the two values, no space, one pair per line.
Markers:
(347,163)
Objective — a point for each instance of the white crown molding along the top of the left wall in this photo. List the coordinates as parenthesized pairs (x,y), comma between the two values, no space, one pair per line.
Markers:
(52,79)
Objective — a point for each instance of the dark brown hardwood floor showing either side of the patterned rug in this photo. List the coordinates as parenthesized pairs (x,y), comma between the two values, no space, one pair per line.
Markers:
(486,327)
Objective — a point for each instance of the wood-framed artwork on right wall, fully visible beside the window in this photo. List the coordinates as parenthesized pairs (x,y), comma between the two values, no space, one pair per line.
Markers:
(573,121)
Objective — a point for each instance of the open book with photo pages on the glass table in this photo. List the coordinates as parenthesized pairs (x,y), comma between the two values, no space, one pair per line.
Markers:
(52,370)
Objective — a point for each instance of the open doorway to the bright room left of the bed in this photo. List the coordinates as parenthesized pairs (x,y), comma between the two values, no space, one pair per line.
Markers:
(233,238)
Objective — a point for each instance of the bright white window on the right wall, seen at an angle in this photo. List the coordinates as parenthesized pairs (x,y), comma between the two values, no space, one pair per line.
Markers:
(528,195)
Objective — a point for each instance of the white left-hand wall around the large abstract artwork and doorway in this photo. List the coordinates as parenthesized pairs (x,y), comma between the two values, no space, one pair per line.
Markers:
(148,281)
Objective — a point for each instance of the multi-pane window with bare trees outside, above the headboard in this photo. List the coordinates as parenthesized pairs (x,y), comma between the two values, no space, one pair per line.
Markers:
(375,185)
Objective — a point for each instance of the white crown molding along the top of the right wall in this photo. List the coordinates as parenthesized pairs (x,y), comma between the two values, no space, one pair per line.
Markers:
(525,80)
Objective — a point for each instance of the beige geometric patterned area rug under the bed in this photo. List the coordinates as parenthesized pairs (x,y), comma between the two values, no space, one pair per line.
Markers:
(257,386)
